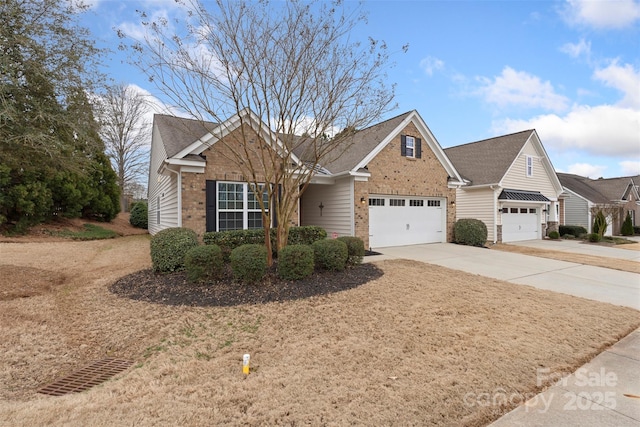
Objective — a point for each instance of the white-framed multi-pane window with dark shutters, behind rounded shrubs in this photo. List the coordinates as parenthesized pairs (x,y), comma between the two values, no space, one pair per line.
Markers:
(238,207)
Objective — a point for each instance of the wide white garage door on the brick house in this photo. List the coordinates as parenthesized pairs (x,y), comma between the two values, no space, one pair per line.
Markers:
(398,221)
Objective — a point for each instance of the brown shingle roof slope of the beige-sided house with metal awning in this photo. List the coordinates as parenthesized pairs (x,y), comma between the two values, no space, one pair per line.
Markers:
(487,161)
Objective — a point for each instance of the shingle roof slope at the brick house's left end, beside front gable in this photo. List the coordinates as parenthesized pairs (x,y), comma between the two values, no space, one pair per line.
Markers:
(178,133)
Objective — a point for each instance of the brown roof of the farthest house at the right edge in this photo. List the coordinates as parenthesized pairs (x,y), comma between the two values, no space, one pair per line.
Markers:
(603,190)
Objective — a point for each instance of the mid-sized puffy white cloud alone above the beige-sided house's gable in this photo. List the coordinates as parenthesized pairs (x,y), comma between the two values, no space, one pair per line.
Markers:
(519,88)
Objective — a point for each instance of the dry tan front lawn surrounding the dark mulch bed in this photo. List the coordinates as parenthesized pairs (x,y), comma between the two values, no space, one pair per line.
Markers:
(418,346)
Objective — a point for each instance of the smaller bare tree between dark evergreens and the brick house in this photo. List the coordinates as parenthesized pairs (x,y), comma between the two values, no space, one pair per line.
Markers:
(125,132)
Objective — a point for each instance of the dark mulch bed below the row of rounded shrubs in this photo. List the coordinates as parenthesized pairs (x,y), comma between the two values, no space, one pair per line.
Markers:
(175,289)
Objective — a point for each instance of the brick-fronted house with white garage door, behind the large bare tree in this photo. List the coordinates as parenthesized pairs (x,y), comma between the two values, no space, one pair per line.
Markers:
(393,185)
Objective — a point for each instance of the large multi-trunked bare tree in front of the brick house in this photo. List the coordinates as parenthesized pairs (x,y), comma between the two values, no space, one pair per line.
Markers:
(293,65)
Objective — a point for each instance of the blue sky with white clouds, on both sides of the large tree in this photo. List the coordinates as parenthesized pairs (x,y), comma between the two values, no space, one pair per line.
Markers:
(478,69)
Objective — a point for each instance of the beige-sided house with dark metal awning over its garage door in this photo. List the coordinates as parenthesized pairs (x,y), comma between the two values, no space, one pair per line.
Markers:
(512,186)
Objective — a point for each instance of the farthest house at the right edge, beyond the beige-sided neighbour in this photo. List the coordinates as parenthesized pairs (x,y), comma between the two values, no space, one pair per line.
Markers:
(585,196)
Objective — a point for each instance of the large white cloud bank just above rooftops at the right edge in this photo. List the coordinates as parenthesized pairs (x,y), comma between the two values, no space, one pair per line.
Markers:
(603,130)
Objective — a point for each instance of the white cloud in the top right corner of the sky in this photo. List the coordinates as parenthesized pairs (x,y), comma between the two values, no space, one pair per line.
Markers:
(611,14)
